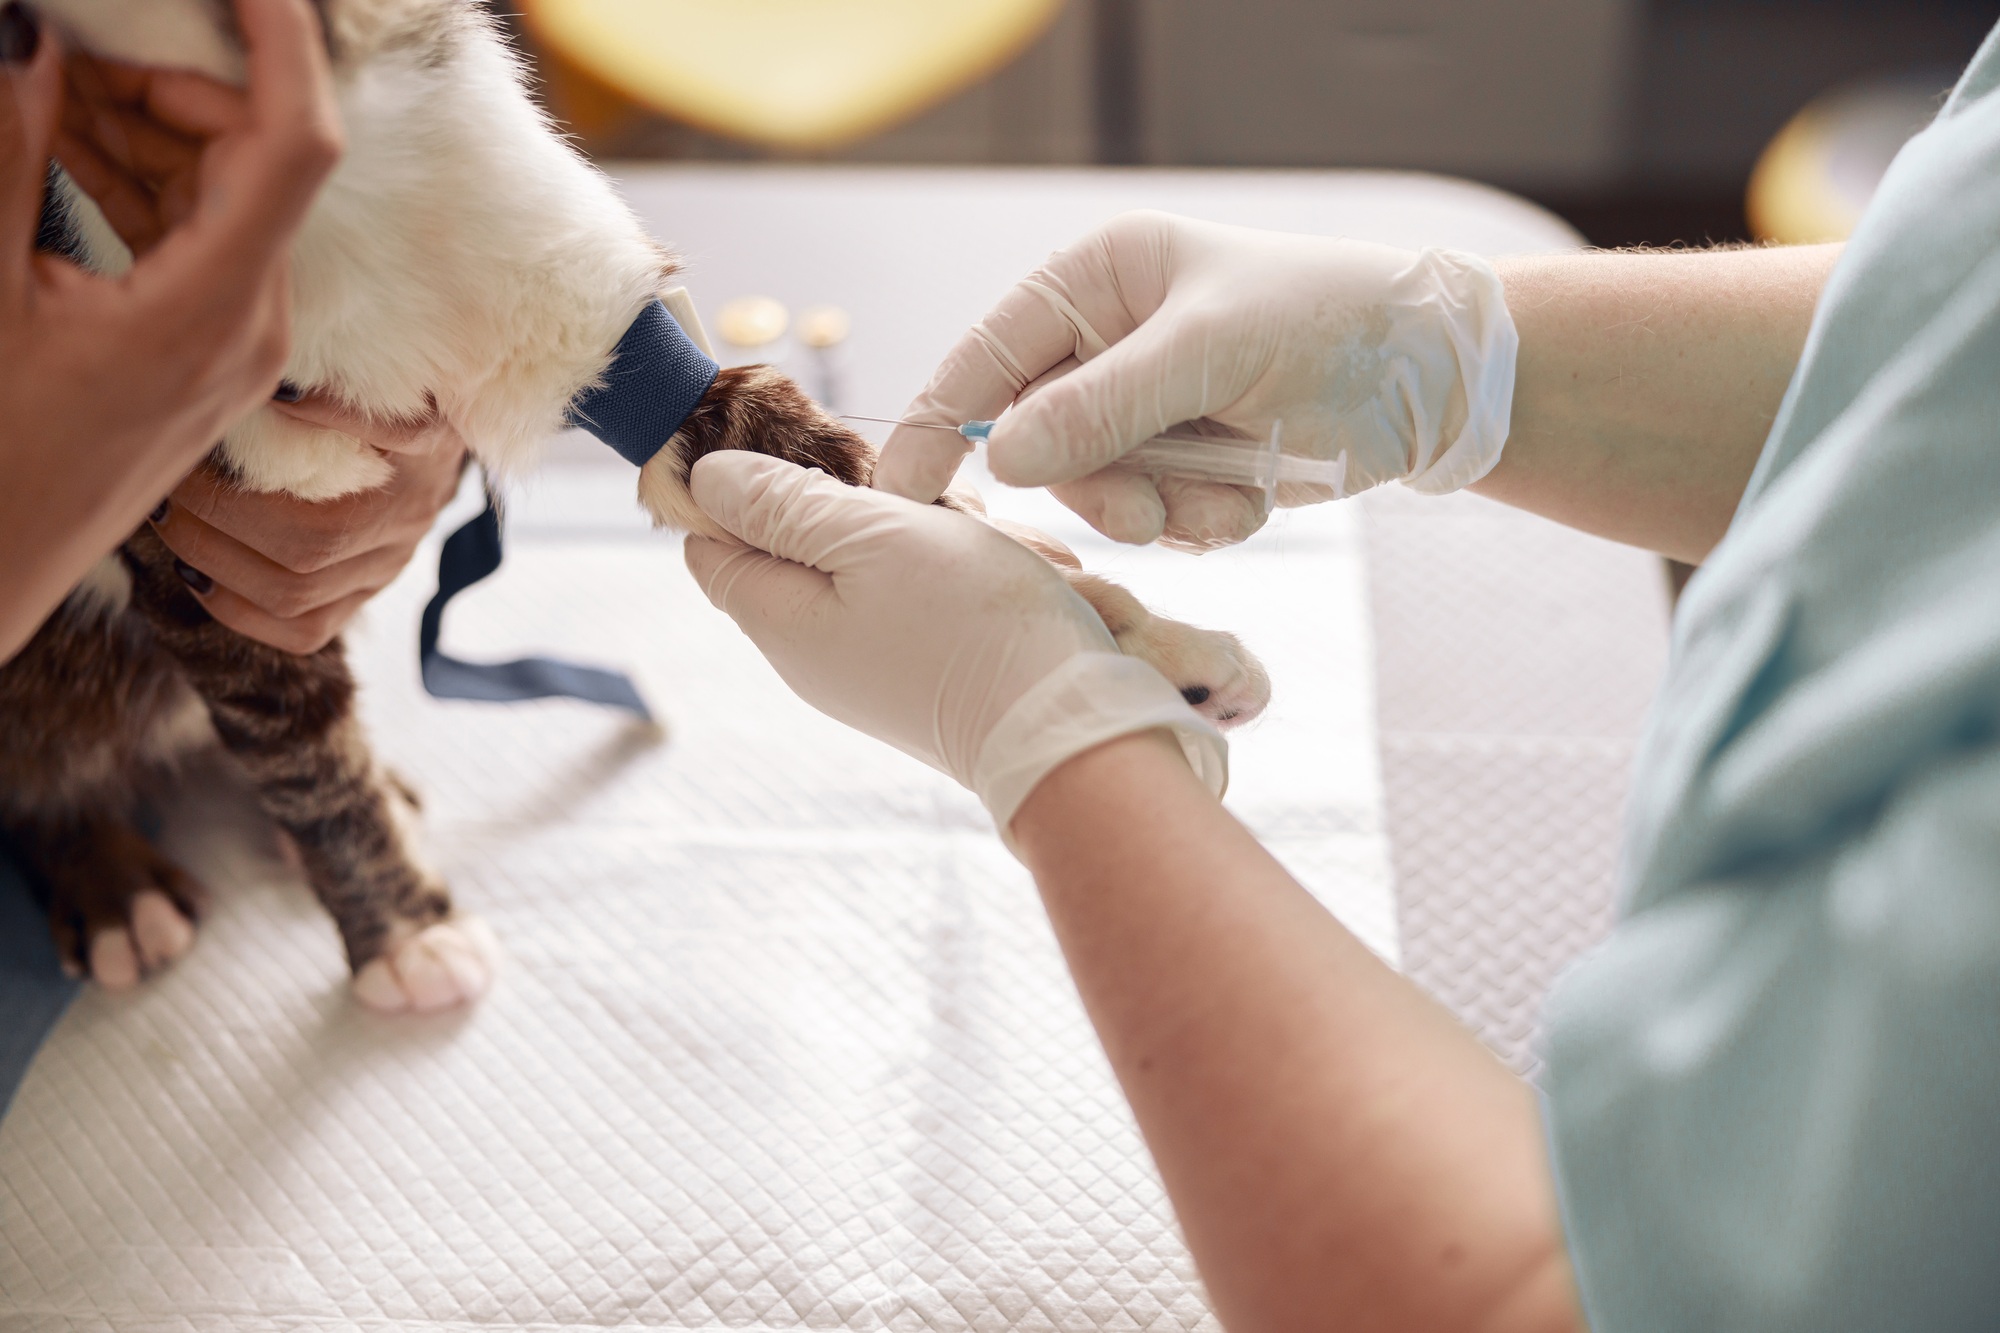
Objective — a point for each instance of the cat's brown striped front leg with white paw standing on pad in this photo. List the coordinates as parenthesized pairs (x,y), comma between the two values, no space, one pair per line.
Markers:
(291,724)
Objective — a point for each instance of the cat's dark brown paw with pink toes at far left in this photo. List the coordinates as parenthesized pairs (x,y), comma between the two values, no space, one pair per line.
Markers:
(117,908)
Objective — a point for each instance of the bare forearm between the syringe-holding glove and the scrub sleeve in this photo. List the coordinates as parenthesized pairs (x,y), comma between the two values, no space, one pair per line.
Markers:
(1647,385)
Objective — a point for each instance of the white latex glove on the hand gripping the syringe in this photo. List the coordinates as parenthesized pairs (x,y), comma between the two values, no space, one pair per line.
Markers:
(1401,361)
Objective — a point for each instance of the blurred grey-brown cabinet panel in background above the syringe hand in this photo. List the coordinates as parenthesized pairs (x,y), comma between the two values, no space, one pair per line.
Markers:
(1509,91)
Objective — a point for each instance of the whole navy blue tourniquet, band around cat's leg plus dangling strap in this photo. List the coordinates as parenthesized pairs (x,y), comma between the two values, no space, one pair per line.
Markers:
(655,383)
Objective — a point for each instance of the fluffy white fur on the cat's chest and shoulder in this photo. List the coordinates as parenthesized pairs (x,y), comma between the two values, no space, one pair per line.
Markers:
(461,251)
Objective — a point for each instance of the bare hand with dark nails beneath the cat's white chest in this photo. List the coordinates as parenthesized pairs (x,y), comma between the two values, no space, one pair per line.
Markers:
(293,573)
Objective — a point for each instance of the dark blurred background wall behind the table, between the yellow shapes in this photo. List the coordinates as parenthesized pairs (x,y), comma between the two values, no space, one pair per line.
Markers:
(1635,119)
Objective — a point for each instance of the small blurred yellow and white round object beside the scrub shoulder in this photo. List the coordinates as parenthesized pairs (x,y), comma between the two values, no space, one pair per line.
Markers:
(1823,169)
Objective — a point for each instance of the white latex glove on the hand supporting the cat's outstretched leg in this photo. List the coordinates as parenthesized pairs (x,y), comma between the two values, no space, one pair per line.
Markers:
(927,629)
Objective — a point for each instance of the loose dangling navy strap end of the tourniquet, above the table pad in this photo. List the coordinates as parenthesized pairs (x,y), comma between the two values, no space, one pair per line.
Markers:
(473,553)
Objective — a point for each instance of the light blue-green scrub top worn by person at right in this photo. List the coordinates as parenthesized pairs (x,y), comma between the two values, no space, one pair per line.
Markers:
(1775,1096)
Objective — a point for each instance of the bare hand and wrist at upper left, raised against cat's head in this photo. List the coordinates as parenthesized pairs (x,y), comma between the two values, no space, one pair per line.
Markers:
(115,387)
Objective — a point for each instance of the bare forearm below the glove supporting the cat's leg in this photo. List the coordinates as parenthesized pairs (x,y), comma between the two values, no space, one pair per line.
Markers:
(1333,1142)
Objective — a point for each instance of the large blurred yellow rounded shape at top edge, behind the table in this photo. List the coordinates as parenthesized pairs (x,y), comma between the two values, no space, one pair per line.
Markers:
(791,73)
